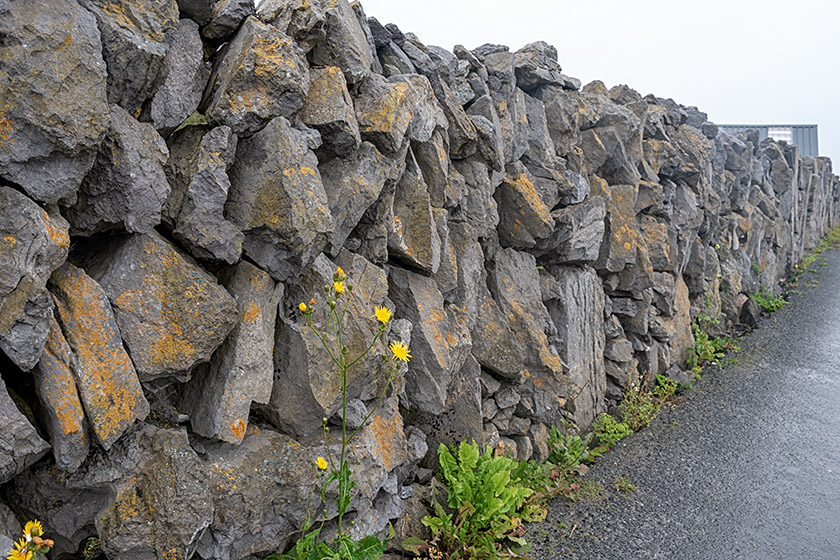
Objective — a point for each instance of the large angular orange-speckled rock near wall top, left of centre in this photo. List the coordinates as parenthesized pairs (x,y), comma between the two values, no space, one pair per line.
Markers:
(262,74)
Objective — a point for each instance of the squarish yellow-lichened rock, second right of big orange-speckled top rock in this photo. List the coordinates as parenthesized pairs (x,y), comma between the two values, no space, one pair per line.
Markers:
(385,111)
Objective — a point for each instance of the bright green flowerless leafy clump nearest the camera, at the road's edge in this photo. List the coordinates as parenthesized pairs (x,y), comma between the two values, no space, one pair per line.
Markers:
(486,497)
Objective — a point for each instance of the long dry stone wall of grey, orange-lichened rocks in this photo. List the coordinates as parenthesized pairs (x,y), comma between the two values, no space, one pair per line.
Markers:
(176,177)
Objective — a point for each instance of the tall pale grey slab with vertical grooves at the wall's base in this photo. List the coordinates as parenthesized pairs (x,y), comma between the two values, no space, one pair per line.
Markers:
(574,299)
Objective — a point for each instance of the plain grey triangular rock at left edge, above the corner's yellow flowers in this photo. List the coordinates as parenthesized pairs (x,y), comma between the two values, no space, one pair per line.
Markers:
(20,445)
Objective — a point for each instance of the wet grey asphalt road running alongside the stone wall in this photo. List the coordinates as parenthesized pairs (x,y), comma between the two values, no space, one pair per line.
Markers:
(748,467)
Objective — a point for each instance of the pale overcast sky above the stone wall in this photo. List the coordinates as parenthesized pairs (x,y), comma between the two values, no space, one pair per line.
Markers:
(739,61)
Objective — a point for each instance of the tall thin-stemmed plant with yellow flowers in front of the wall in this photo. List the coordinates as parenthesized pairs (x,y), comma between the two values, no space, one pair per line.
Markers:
(330,333)
